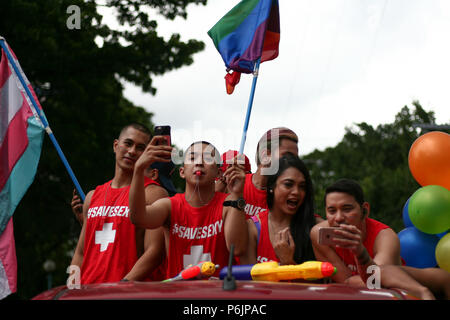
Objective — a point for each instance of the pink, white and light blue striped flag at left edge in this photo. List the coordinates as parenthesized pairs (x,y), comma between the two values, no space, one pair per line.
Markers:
(21,135)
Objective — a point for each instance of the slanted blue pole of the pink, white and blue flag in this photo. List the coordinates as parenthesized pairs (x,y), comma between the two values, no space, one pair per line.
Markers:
(42,118)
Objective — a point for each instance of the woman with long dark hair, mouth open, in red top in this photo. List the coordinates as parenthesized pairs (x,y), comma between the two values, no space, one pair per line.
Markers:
(282,232)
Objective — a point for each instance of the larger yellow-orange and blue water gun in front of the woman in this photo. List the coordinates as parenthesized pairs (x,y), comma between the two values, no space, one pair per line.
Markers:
(272,271)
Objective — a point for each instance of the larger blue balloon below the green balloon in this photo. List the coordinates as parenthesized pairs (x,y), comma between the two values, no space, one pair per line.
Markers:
(418,248)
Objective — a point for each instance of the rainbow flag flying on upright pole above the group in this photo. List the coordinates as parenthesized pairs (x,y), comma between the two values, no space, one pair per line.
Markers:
(248,32)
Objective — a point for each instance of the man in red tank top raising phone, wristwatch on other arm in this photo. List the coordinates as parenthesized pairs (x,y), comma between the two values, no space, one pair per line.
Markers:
(198,223)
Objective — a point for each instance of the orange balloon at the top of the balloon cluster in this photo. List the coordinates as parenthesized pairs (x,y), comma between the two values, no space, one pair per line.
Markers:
(429,159)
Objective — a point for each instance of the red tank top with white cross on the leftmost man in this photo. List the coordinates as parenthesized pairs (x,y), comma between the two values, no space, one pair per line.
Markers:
(110,241)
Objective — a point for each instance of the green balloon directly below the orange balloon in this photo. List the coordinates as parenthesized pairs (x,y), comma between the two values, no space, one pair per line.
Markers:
(429,209)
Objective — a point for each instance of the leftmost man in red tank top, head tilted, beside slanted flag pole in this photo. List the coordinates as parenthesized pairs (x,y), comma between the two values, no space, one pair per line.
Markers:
(110,248)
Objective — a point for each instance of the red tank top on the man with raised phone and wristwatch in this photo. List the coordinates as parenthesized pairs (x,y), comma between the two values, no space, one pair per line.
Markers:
(196,234)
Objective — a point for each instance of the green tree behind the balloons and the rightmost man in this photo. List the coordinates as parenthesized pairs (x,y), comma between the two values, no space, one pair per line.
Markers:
(378,159)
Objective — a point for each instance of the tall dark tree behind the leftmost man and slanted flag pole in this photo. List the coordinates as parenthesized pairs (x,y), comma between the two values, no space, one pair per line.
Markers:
(78,75)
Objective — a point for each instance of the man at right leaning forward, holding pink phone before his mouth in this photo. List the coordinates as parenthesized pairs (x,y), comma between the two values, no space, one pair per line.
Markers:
(361,242)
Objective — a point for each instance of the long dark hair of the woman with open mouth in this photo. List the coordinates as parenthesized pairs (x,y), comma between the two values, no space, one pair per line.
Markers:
(303,220)
